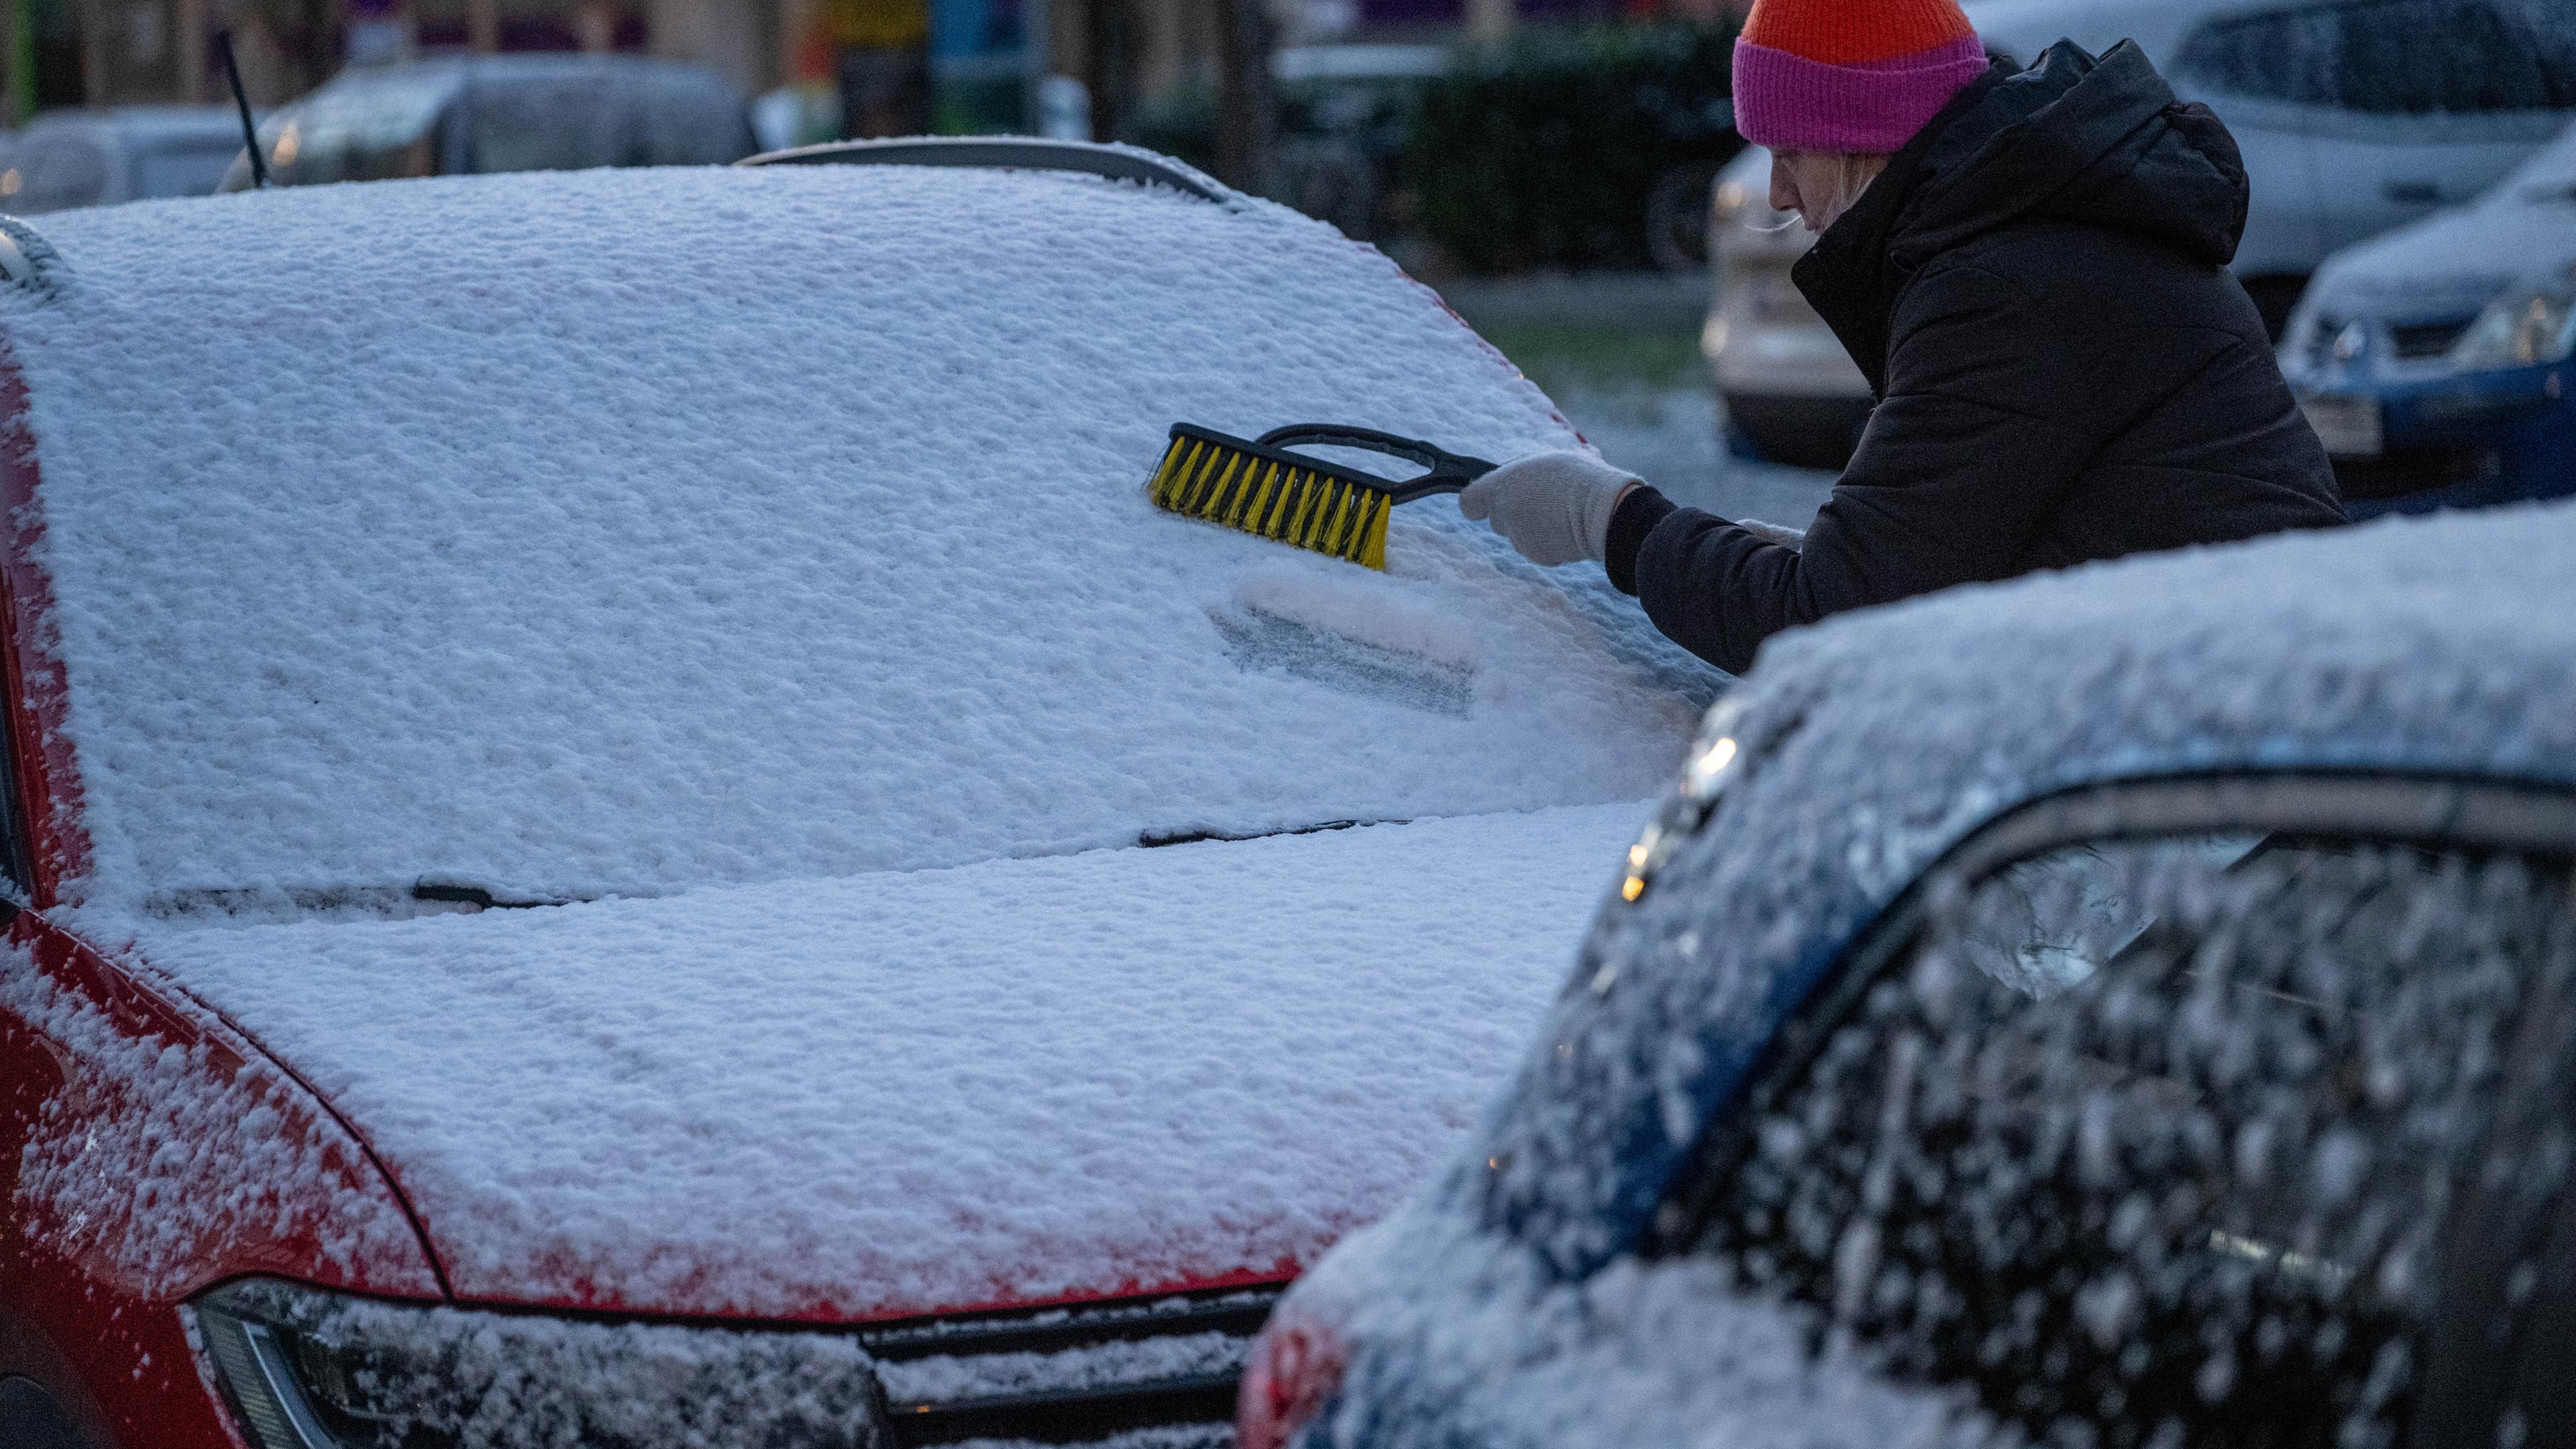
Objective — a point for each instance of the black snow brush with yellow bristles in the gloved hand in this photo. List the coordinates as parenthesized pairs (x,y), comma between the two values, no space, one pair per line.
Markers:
(1297,499)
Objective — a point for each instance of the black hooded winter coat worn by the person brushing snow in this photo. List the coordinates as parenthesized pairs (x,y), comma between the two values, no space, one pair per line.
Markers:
(2065,370)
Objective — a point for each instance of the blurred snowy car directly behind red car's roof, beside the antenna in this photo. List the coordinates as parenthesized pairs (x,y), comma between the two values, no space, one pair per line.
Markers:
(511,112)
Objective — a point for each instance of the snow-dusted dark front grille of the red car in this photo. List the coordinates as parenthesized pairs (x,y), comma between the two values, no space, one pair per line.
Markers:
(1142,1376)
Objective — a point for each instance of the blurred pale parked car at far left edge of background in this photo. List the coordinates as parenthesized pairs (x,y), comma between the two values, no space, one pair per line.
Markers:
(133,153)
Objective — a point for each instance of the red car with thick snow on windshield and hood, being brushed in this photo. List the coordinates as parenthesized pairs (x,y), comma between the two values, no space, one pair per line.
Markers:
(627,829)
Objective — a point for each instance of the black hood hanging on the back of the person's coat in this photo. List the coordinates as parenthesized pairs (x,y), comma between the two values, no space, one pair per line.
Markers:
(2075,141)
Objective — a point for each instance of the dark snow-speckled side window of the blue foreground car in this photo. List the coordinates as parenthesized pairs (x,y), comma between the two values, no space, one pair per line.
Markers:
(2155,1143)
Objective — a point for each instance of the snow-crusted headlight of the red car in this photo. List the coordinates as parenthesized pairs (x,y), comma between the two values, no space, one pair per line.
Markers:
(313,1370)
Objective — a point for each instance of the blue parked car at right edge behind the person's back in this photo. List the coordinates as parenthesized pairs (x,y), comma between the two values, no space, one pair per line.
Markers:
(2436,360)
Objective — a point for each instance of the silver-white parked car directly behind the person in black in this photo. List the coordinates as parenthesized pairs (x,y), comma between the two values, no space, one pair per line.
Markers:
(2353,117)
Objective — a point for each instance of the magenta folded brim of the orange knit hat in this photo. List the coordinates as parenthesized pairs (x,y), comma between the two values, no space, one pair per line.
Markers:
(1786,102)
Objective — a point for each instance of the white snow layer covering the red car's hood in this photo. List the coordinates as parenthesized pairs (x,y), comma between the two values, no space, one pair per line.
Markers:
(908,1092)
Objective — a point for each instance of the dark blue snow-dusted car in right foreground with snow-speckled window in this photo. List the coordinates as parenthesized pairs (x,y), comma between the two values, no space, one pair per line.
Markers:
(2129,1007)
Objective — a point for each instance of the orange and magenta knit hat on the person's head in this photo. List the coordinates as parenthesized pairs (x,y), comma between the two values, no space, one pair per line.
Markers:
(1851,76)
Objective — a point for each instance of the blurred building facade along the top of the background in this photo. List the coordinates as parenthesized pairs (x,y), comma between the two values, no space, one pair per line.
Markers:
(985,61)
